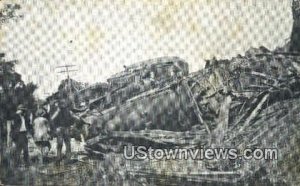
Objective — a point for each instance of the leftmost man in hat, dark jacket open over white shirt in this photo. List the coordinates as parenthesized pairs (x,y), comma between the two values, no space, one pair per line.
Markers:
(19,131)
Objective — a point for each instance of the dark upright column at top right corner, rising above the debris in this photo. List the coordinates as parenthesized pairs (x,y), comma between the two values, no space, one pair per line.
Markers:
(295,36)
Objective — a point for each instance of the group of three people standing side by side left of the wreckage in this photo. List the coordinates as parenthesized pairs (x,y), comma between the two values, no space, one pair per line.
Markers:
(43,127)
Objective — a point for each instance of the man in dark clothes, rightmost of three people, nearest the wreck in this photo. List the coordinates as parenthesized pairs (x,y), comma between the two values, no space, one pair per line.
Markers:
(63,118)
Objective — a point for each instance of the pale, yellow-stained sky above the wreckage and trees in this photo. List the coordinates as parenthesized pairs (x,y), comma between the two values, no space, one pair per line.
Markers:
(99,37)
